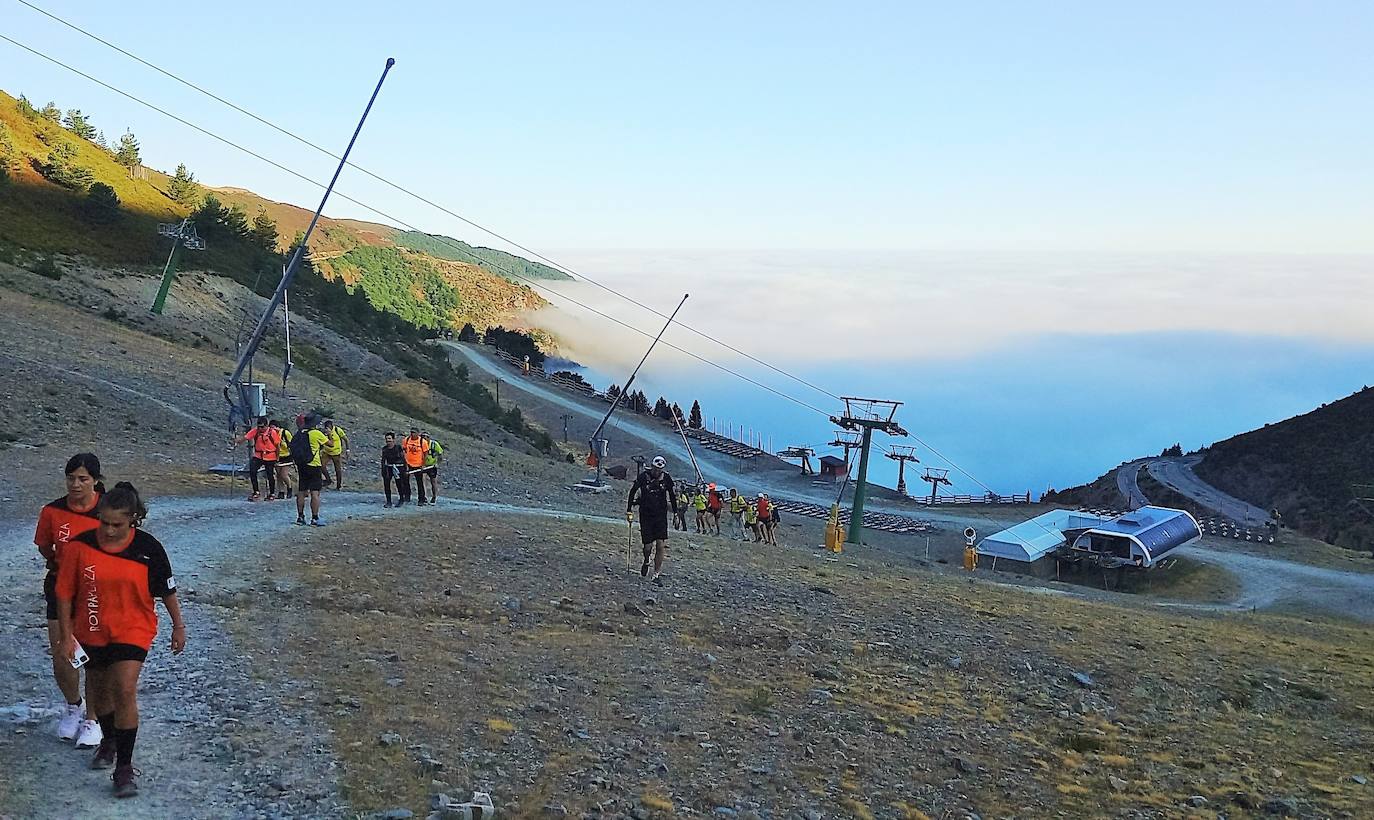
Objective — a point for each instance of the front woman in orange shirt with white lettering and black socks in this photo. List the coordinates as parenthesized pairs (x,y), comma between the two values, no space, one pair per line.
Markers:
(108,582)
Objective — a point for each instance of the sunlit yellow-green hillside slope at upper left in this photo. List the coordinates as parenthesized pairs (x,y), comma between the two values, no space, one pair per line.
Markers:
(427,289)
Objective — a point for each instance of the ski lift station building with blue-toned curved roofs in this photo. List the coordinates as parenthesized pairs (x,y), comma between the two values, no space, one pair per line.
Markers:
(1138,539)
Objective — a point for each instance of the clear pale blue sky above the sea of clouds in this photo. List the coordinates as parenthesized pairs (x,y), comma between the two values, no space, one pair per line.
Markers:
(1236,127)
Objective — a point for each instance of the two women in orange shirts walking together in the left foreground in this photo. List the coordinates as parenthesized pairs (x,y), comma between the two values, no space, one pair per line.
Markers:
(105,576)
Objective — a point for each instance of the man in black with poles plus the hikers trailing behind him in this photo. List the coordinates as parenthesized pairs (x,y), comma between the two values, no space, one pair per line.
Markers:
(656,494)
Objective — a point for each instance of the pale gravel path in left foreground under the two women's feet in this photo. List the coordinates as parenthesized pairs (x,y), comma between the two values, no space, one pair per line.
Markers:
(215,742)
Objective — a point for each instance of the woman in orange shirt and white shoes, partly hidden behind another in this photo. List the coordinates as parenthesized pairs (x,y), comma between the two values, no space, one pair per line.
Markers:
(58,524)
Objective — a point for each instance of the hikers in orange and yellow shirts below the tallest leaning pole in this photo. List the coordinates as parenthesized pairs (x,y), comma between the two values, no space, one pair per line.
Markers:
(318,450)
